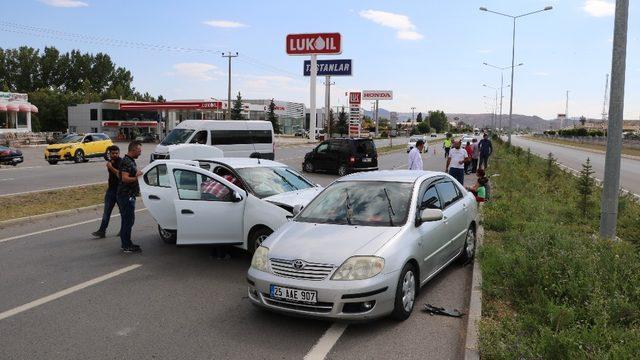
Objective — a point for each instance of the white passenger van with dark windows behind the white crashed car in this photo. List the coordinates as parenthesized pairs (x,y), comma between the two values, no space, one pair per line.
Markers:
(236,138)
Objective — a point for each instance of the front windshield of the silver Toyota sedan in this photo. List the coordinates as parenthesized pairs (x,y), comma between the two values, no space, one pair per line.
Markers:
(360,203)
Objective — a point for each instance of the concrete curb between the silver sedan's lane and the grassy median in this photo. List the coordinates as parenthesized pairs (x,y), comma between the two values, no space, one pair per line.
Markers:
(471,351)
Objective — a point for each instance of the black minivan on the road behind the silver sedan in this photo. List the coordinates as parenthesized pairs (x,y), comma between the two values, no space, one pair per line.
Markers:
(343,156)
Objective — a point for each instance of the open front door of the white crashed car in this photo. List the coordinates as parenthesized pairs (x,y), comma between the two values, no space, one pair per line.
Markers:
(209,209)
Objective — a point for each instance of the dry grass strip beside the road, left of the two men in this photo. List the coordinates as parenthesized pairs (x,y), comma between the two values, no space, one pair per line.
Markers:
(18,206)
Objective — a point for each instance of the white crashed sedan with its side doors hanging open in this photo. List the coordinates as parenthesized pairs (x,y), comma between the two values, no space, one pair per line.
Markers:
(233,201)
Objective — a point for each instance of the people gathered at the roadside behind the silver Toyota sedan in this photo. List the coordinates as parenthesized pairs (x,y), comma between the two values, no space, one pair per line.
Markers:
(460,161)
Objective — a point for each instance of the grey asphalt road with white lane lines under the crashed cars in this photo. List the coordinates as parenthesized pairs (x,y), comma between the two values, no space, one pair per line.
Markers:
(179,303)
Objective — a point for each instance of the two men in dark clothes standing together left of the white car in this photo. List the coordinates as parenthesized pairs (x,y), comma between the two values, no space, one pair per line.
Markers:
(122,190)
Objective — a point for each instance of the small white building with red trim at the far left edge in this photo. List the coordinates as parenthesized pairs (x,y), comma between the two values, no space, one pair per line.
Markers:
(15,112)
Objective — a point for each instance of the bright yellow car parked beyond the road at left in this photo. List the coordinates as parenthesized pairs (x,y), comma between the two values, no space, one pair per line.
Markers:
(78,147)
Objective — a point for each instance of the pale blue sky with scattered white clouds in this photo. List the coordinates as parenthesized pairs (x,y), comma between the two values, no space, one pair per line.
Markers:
(430,53)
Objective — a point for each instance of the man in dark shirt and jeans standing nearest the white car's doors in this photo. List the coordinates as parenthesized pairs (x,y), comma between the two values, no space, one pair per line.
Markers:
(128,189)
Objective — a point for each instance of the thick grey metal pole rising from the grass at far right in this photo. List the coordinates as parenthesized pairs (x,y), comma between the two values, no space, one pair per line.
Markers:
(611,184)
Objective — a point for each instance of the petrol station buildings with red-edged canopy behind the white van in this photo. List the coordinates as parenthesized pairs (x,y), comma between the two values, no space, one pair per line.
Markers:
(124,119)
